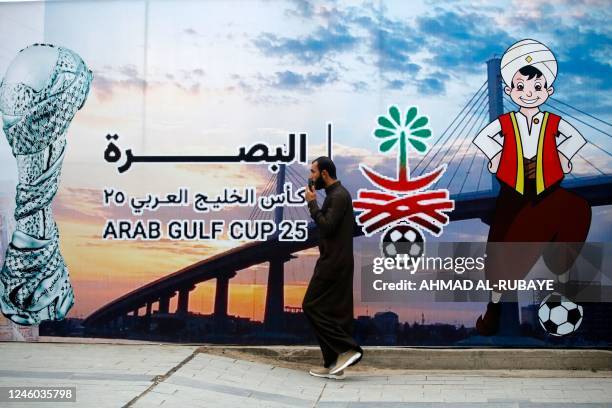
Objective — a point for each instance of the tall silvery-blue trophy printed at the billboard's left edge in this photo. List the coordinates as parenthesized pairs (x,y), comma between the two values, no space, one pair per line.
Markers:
(43,88)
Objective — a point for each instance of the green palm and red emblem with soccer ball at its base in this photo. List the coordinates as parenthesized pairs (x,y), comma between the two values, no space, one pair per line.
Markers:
(403,203)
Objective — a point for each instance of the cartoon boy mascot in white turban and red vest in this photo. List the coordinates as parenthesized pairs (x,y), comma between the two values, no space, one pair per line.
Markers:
(530,151)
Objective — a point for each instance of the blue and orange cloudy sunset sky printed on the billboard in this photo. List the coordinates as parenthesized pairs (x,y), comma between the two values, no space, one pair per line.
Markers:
(202,78)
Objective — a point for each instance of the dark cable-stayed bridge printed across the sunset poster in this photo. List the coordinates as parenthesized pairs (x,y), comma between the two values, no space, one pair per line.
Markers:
(471,185)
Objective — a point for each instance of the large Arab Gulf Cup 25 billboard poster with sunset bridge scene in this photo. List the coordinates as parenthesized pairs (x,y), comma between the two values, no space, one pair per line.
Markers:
(156,157)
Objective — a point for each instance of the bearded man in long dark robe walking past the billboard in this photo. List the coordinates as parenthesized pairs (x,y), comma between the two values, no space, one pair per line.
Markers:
(328,302)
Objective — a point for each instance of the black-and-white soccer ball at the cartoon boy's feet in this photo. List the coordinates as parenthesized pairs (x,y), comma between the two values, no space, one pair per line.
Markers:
(558,315)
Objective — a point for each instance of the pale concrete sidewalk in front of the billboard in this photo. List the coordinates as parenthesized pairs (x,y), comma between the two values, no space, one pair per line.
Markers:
(150,375)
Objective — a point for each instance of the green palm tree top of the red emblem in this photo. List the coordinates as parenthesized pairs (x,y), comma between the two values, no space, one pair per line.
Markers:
(412,129)
